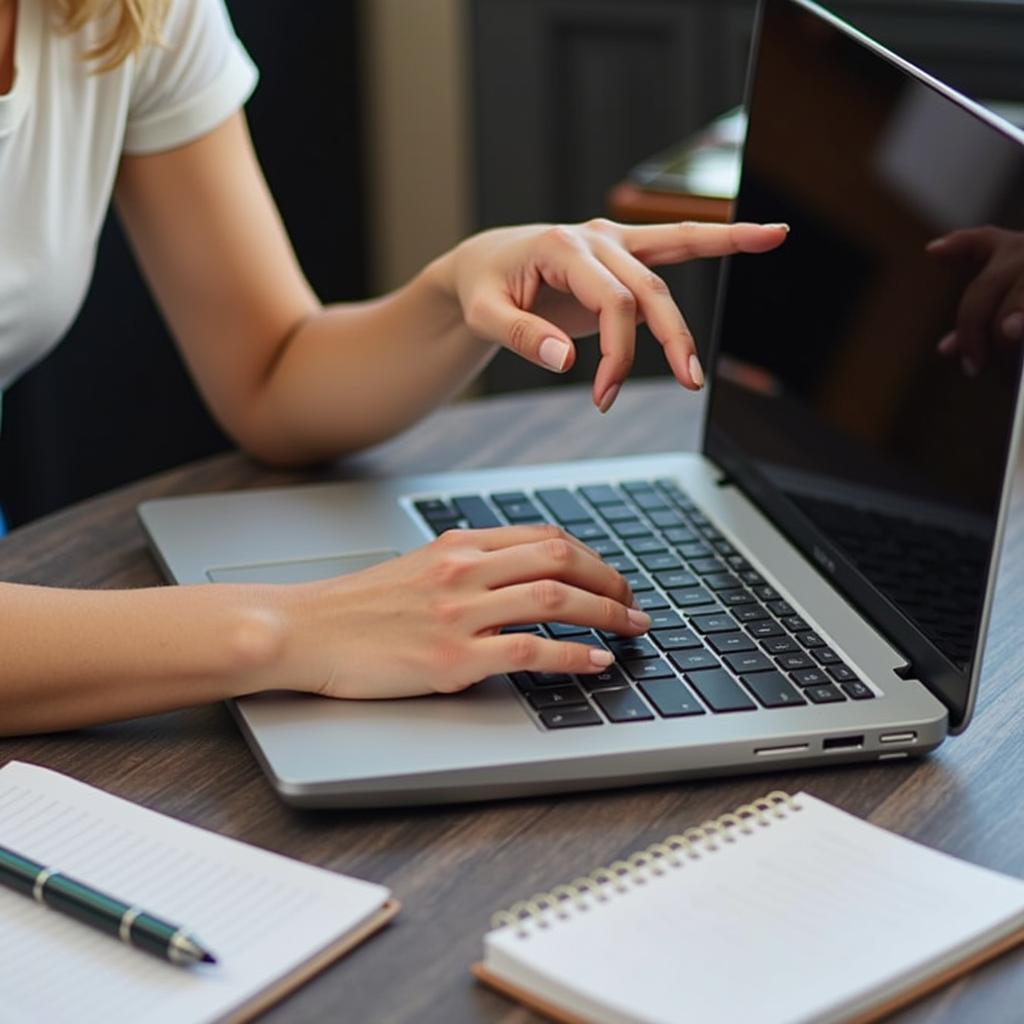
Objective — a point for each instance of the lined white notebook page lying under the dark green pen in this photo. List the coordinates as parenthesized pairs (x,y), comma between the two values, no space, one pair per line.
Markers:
(262,915)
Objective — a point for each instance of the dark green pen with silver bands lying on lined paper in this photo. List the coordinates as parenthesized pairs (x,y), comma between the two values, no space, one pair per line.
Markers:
(129,923)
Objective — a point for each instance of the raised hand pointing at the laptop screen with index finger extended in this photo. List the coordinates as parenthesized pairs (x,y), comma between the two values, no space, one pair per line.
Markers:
(535,288)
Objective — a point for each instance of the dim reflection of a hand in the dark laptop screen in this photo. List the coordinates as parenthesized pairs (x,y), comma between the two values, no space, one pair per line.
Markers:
(992,310)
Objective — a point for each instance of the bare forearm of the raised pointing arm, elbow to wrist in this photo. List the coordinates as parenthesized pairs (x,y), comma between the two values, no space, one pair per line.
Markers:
(357,374)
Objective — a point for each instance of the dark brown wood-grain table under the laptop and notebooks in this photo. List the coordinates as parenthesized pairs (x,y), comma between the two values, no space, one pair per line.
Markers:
(451,867)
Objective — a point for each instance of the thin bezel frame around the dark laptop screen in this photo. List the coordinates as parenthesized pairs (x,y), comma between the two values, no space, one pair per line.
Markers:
(924,662)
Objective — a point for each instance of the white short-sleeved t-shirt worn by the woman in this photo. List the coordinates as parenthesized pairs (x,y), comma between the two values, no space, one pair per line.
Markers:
(63,132)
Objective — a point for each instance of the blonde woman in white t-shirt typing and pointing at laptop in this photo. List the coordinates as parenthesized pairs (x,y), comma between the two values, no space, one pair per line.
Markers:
(141,100)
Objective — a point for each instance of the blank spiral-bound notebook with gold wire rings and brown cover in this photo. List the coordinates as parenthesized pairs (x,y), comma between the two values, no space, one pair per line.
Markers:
(786,911)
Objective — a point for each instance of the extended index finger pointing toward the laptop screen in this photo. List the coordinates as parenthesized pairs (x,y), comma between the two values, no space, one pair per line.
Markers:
(656,245)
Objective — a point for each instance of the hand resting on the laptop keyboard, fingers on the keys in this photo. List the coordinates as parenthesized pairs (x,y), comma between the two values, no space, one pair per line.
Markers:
(431,621)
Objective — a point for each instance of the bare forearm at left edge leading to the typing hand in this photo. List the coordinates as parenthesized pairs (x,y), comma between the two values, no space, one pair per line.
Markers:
(77,658)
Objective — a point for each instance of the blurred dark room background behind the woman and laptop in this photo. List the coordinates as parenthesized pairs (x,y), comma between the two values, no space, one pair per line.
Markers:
(390,130)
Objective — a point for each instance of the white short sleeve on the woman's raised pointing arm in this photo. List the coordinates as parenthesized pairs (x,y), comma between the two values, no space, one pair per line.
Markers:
(190,83)
